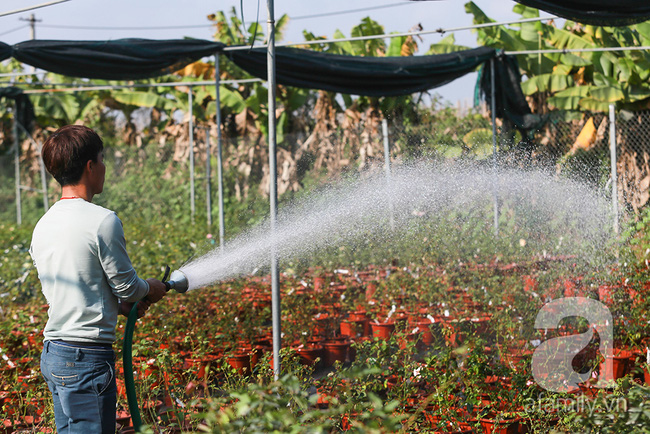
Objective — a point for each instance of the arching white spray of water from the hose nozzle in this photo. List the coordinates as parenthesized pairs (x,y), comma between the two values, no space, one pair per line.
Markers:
(415,206)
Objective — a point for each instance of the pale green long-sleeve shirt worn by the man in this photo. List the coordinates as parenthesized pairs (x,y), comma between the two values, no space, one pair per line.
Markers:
(80,253)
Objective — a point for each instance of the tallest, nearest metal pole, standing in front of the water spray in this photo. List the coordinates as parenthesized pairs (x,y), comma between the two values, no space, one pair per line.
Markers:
(273,191)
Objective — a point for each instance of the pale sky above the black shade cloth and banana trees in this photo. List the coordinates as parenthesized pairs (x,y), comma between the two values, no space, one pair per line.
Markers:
(167,19)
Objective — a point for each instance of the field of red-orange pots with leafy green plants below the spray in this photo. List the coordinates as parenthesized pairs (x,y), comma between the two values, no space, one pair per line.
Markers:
(400,346)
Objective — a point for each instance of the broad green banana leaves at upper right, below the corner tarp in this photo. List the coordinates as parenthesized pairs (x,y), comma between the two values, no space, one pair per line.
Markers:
(574,81)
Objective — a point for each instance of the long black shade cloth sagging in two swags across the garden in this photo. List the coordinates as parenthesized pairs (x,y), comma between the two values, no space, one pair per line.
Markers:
(127,59)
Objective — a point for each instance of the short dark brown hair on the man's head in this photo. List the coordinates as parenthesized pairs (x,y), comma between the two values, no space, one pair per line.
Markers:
(66,152)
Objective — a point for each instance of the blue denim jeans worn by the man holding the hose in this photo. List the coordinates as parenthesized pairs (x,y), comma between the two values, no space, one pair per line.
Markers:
(82,383)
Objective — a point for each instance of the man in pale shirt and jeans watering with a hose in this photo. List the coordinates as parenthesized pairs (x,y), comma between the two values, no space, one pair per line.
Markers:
(87,278)
